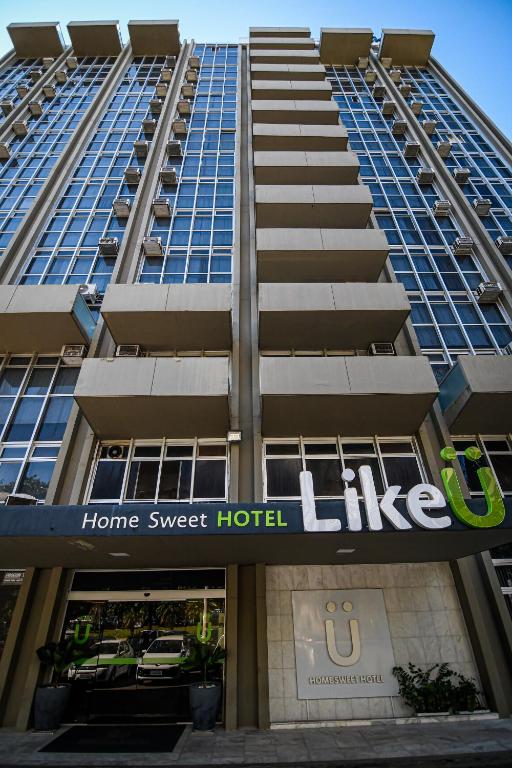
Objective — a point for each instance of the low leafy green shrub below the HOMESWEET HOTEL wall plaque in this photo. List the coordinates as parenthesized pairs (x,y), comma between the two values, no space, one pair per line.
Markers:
(436,689)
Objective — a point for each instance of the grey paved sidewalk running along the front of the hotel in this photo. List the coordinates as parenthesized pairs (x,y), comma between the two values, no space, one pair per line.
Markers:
(440,745)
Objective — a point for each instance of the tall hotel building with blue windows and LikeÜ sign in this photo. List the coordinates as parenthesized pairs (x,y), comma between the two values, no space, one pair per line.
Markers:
(248,293)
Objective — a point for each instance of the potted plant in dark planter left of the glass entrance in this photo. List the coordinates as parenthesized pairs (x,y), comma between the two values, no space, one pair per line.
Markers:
(51,700)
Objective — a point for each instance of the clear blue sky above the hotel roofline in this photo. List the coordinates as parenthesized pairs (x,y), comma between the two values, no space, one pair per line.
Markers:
(472,36)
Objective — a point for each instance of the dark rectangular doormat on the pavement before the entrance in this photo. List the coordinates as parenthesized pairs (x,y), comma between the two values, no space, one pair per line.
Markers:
(116,738)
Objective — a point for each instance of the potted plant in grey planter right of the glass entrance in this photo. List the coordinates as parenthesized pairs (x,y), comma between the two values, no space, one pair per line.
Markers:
(205,696)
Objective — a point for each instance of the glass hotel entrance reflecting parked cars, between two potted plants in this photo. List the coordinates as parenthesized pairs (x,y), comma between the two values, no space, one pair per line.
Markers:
(137,629)
